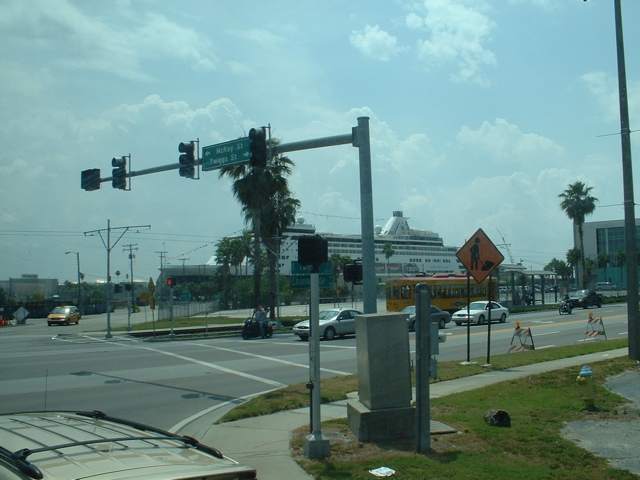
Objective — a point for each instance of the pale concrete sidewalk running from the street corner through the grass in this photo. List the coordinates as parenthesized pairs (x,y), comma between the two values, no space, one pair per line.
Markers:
(263,442)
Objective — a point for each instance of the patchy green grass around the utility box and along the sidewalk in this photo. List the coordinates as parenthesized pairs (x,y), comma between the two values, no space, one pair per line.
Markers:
(532,448)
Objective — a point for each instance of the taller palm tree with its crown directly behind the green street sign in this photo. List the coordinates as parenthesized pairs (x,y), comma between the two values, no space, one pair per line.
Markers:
(260,190)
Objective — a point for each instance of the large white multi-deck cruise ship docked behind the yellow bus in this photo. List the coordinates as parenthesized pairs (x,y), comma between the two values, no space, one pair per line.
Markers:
(415,251)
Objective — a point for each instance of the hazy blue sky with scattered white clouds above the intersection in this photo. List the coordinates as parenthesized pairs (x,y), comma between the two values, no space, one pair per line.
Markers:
(481,112)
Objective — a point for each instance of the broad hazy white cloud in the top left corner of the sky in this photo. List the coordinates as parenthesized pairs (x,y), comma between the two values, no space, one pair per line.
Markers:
(84,41)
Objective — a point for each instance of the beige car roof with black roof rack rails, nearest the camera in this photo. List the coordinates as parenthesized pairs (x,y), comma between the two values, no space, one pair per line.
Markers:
(93,445)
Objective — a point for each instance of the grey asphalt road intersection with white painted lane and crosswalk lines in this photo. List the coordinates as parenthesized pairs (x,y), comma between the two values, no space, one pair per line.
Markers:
(170,384)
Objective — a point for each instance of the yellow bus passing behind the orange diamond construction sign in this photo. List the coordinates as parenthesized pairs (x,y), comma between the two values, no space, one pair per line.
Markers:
(448,292)
